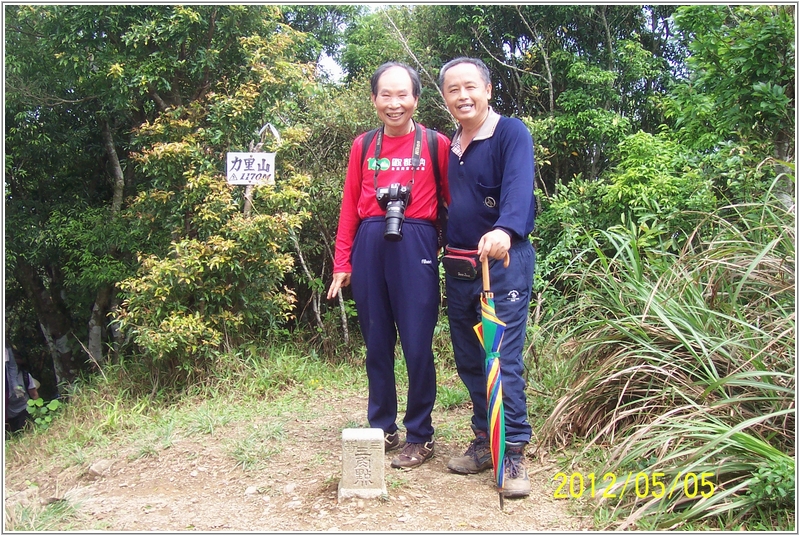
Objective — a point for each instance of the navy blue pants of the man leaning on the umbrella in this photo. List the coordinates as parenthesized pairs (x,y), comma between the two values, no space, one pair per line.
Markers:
(512,289)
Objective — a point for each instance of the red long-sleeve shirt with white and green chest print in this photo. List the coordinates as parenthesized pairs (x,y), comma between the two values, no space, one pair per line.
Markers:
(358,199)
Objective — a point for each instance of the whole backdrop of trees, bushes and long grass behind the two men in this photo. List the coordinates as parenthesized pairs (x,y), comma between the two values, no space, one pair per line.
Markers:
(664,138)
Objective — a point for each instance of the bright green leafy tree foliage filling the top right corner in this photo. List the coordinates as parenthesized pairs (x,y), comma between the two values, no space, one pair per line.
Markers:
(741,83)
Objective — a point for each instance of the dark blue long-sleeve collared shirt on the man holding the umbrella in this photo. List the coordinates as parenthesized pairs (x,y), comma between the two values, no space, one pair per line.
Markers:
(491,184)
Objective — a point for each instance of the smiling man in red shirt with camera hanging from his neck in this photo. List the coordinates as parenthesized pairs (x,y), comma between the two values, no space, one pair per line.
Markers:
(392,261)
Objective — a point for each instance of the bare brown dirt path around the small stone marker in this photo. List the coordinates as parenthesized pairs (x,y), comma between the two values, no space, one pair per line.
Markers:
(196,484)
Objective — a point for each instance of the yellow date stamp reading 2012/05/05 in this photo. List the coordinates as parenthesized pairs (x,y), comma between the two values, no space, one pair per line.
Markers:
(644,485)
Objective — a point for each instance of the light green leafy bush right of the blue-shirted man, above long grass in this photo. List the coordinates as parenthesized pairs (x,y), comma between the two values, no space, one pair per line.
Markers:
(654,190)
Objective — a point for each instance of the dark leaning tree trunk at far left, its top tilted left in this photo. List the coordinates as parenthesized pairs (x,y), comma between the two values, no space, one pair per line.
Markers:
(54,323)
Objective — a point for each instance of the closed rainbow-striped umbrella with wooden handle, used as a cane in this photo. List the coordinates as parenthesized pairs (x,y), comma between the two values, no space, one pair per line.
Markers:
(490,333)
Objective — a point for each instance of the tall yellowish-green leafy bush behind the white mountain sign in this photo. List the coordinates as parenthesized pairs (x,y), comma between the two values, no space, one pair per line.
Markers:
(210,274)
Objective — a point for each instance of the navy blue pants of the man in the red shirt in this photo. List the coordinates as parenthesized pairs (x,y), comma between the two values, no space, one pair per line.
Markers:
(396,289)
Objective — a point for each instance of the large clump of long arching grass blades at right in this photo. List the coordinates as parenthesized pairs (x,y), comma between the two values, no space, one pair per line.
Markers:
(685,364)
